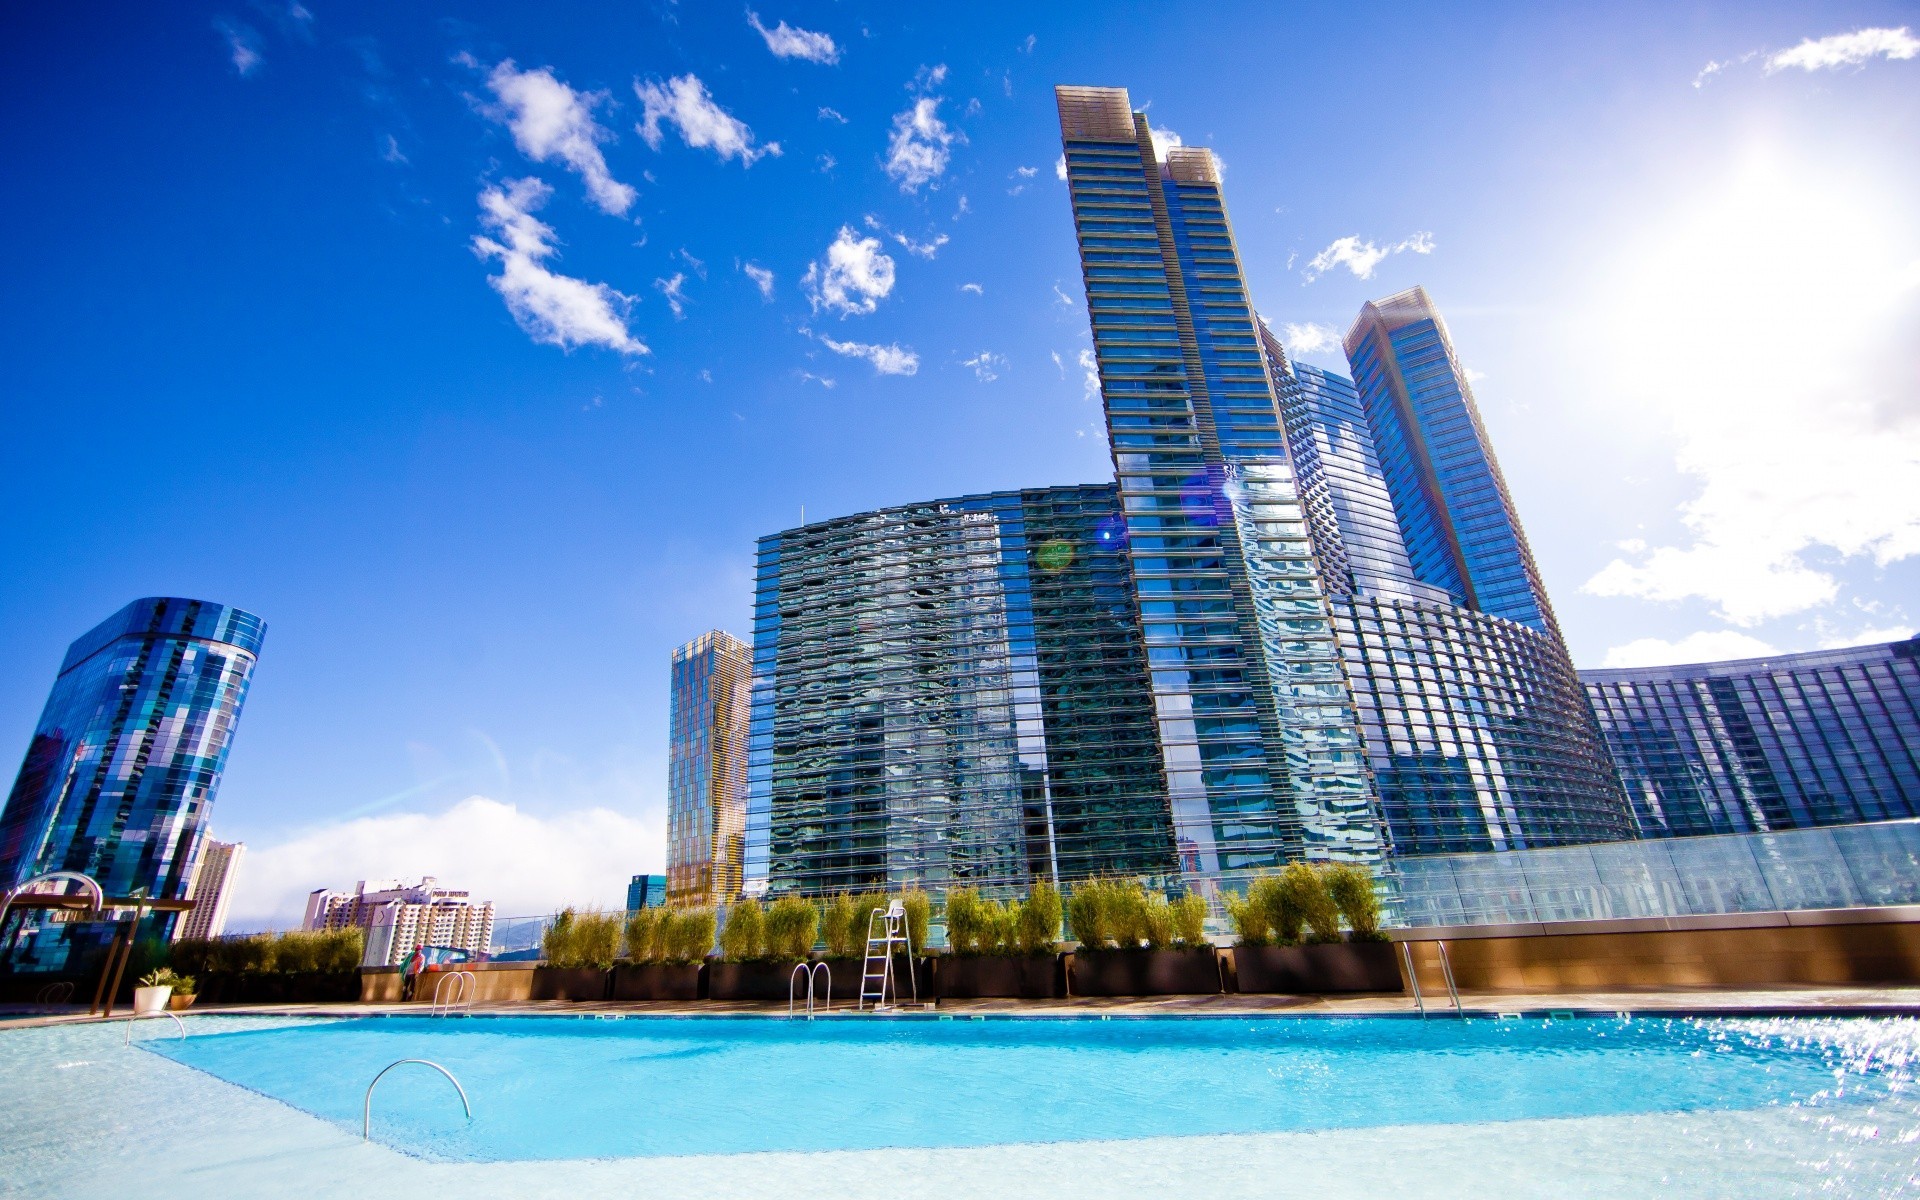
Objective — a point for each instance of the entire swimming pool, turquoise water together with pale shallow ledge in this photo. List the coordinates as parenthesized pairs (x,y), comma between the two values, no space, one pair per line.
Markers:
(1057,1109)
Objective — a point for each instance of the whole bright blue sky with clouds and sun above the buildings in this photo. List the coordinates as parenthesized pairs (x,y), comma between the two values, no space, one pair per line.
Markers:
(473,352)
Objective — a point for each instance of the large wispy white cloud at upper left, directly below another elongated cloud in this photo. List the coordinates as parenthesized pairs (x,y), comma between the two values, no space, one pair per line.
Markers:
(556,310)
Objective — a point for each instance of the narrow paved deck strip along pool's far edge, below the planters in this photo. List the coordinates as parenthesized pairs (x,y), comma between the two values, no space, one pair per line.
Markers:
(1773,1001)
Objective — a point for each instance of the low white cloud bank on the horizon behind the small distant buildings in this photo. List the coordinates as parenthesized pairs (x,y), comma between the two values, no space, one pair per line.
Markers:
(527,865)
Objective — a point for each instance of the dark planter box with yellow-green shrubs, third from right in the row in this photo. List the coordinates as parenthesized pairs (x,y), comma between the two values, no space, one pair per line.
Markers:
(1003,949)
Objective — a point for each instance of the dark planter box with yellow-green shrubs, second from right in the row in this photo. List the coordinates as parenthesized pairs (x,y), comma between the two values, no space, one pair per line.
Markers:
(1138,944)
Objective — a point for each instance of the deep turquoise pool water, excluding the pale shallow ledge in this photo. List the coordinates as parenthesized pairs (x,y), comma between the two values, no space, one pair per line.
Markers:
(569,1090)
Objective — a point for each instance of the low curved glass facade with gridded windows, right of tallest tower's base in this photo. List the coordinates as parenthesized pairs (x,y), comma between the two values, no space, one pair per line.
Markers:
(1477,731)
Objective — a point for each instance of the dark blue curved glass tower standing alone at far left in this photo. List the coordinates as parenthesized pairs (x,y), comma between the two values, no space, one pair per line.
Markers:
(122,771)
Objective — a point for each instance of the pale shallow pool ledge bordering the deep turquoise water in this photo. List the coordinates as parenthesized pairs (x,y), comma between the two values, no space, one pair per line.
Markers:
(85,1116)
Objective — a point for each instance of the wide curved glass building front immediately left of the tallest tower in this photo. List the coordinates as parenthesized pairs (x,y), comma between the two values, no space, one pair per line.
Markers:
(953,692)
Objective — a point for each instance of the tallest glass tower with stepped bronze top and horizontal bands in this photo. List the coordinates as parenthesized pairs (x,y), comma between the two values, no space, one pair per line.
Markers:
(1257,725)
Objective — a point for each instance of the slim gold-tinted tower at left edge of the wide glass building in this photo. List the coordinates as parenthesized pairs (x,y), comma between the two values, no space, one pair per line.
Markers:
(708,771)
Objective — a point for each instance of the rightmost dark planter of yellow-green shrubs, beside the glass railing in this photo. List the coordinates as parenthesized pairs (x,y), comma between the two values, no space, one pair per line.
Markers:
(1291,934)
